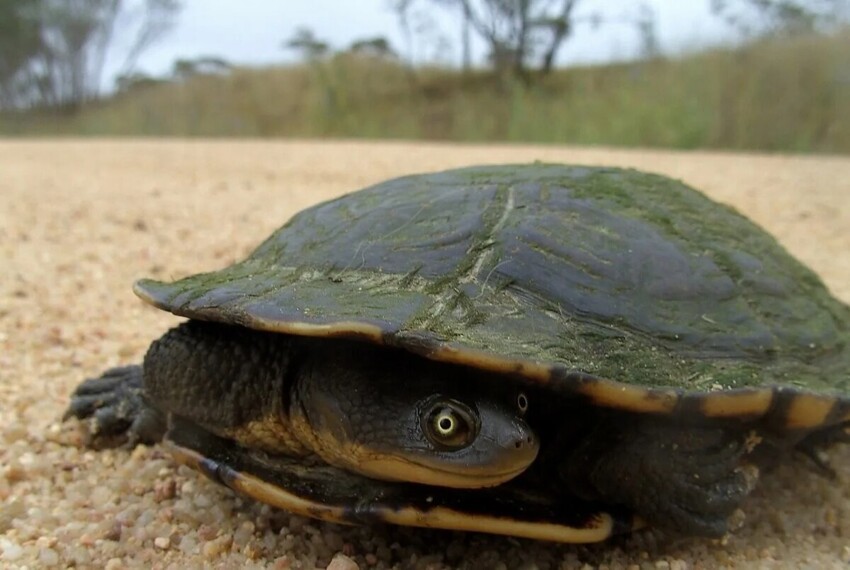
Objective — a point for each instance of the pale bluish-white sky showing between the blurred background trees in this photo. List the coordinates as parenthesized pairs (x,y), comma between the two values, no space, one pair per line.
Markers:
(252,32)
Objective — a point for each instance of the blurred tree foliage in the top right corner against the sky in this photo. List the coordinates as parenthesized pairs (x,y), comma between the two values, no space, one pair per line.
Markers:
(755,18)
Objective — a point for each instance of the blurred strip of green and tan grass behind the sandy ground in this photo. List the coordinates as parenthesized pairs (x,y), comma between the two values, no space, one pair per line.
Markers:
(791,95)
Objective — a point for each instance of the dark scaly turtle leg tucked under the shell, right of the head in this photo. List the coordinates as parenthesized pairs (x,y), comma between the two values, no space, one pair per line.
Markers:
(683,479)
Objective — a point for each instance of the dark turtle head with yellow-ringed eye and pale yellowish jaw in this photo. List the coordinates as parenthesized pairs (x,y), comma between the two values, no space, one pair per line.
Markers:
(394,416)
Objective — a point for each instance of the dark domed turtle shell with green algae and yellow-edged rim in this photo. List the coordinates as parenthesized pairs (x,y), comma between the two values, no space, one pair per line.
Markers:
(630,288)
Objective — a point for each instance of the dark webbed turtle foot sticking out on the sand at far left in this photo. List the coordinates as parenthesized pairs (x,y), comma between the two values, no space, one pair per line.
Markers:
(118,412)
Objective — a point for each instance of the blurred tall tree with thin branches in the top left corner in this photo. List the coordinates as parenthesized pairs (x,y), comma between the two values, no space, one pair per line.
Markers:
(62,46)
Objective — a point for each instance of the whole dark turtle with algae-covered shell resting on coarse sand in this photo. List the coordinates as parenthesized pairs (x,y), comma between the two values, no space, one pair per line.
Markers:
(547,351)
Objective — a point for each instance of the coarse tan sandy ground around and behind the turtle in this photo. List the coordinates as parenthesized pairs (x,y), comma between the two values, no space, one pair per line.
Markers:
(79,221)
